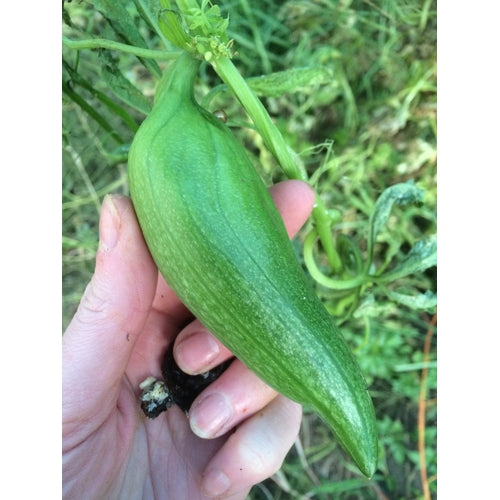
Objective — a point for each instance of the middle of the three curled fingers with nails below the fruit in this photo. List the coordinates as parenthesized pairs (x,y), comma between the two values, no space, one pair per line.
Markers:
(237,394)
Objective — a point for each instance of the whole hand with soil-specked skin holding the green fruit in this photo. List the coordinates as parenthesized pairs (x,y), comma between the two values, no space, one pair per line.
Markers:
(126,319)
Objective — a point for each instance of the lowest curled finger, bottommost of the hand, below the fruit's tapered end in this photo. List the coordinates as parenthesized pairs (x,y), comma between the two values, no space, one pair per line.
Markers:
(255,451)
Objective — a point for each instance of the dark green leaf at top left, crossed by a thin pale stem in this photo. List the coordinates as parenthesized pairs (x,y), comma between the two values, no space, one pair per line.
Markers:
(124,26)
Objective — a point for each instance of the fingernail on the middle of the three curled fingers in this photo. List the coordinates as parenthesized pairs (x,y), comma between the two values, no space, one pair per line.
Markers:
(208,417)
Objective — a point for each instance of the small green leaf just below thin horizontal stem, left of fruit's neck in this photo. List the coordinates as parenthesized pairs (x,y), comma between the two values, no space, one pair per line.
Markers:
(121,86)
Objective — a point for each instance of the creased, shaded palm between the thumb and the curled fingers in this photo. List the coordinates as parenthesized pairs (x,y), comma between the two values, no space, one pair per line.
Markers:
(130,452)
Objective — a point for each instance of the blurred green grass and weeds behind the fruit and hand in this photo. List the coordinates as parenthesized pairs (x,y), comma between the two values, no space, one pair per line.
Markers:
(363,120)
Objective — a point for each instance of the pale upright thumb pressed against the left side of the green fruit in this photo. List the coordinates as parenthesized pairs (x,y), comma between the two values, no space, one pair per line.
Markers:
(99,340)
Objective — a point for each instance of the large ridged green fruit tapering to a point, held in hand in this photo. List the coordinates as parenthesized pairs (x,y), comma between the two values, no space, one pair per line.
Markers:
(220,243)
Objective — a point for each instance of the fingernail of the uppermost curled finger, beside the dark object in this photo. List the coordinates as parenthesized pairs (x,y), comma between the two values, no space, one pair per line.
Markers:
(195,353)
